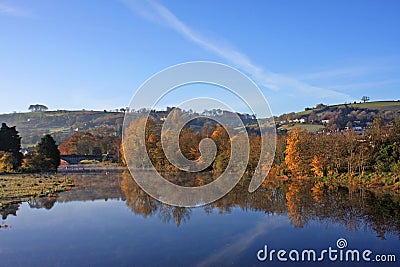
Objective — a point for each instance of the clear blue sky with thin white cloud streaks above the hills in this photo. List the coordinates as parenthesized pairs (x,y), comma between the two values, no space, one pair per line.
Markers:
(94,54)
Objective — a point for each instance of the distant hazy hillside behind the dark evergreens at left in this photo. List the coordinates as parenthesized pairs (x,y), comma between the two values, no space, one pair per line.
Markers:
(60,124)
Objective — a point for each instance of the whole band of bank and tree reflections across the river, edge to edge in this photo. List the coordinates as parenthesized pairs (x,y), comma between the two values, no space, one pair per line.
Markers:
(301,201)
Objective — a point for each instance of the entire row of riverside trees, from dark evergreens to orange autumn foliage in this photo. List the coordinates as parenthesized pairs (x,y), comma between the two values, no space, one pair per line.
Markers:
(298,153)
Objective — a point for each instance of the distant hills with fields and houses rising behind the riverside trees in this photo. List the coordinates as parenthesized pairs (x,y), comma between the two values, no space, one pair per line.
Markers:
(33,125)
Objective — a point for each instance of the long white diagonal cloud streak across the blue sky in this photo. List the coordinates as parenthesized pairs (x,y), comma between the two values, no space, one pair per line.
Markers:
(158,13)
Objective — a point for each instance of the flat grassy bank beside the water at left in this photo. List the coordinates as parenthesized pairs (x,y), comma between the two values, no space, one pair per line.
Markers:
(21,187)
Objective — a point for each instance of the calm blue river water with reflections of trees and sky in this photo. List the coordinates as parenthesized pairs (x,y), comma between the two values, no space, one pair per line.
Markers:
(108,221)
